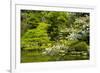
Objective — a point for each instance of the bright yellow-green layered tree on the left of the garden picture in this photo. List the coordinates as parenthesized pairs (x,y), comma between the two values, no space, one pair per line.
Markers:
(36,38)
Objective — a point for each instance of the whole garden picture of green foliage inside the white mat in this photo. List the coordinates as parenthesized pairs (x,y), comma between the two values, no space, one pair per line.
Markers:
(53,36)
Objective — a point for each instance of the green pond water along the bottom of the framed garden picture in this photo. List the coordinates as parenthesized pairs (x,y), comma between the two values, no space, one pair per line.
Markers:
(36,56)
